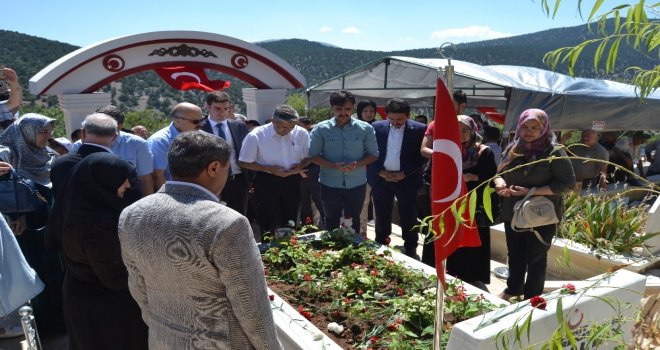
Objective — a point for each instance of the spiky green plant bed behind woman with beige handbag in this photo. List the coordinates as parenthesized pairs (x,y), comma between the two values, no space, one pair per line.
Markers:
(606,224)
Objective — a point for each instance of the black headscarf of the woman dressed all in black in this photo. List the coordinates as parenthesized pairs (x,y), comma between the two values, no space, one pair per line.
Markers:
(91,192)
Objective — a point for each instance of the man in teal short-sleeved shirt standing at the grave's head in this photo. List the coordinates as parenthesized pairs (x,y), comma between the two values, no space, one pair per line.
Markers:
(343,146)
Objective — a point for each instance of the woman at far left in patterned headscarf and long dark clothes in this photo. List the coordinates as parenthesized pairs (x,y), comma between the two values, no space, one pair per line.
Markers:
(26,139)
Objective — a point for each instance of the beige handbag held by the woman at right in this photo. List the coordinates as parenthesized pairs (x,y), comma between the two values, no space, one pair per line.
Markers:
(531,212)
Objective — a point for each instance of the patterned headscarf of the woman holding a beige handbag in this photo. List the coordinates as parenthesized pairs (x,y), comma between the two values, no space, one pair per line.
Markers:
(530,151)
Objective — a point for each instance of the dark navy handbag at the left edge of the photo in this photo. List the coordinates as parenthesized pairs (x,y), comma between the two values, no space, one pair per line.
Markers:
(19,195)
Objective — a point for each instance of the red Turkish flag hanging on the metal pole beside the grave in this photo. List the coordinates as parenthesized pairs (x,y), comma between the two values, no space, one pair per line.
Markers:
(447,182)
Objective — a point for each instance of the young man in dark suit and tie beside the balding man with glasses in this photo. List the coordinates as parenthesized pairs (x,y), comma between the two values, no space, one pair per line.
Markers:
(218,104)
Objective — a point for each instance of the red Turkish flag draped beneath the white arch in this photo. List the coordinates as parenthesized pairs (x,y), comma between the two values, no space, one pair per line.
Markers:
(188,78)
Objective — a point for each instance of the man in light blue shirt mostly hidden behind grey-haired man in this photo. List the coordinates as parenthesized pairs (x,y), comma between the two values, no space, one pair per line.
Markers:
(130,148)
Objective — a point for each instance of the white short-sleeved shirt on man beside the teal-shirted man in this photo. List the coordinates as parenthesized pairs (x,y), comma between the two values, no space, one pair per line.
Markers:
(265,147)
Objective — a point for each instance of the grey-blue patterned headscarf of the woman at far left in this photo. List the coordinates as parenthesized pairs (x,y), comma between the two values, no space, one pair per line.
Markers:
(28,159)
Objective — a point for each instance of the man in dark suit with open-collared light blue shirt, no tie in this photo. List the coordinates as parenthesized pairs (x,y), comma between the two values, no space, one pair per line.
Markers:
(397,172)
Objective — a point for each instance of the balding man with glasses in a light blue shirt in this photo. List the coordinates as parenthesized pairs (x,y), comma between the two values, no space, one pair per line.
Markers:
(185,117)
